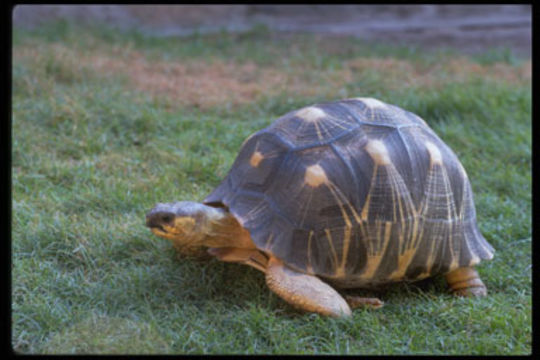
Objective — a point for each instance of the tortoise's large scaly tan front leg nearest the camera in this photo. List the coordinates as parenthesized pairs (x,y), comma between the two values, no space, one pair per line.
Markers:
(306,292)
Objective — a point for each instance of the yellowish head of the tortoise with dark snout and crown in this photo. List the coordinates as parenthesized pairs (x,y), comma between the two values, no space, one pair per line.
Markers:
(183,222)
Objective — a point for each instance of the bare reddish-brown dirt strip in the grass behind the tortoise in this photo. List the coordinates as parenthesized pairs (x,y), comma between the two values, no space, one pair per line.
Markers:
(204,84)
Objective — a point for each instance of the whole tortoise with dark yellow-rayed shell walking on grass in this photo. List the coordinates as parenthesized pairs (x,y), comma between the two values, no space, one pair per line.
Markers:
(355,193)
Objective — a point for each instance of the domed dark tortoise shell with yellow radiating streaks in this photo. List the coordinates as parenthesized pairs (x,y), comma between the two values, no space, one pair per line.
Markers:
(358,192)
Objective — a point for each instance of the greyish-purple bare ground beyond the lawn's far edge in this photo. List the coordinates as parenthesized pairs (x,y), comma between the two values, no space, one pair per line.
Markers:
(470,28)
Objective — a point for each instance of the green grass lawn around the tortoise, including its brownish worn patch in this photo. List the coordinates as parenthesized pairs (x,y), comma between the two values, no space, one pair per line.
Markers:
(107,124)
